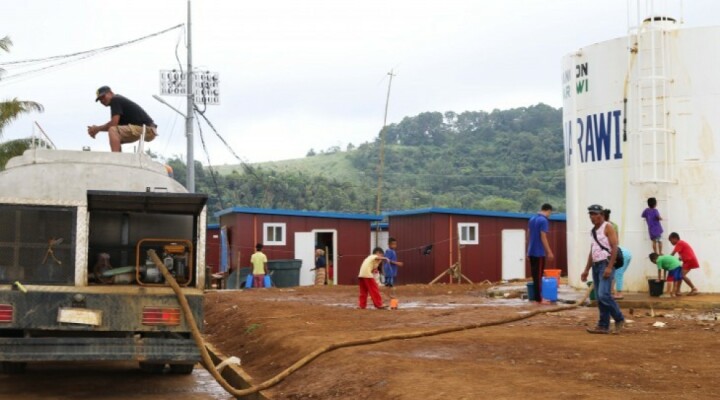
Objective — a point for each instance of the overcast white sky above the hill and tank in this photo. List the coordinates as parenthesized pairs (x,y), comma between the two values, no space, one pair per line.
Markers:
(301,74)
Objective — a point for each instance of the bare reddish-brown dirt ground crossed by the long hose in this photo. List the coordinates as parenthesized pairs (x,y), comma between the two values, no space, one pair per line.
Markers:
(547,356)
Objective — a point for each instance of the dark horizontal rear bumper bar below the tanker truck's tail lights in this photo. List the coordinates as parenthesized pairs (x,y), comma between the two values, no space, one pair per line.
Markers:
(144,349)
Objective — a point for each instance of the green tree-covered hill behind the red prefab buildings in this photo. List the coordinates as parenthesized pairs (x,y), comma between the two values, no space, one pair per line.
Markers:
(508,160)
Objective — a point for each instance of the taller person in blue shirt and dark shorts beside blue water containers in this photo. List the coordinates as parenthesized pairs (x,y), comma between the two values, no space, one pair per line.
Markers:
(539,247)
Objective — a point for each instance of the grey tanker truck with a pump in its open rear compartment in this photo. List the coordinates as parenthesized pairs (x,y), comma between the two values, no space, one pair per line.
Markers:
(76,282)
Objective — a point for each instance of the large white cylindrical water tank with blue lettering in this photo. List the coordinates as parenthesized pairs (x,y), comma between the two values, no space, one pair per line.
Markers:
(641,119)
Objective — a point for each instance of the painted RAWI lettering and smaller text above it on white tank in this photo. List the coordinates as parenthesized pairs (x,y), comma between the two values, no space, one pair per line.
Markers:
(597,136)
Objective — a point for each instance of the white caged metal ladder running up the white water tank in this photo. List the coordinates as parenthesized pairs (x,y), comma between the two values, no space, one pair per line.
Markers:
(654,151)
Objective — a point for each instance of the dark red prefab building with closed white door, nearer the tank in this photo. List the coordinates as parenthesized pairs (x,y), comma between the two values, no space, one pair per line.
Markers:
(489,245)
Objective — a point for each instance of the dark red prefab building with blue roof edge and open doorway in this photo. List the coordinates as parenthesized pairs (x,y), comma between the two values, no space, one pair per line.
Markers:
(291,234)
